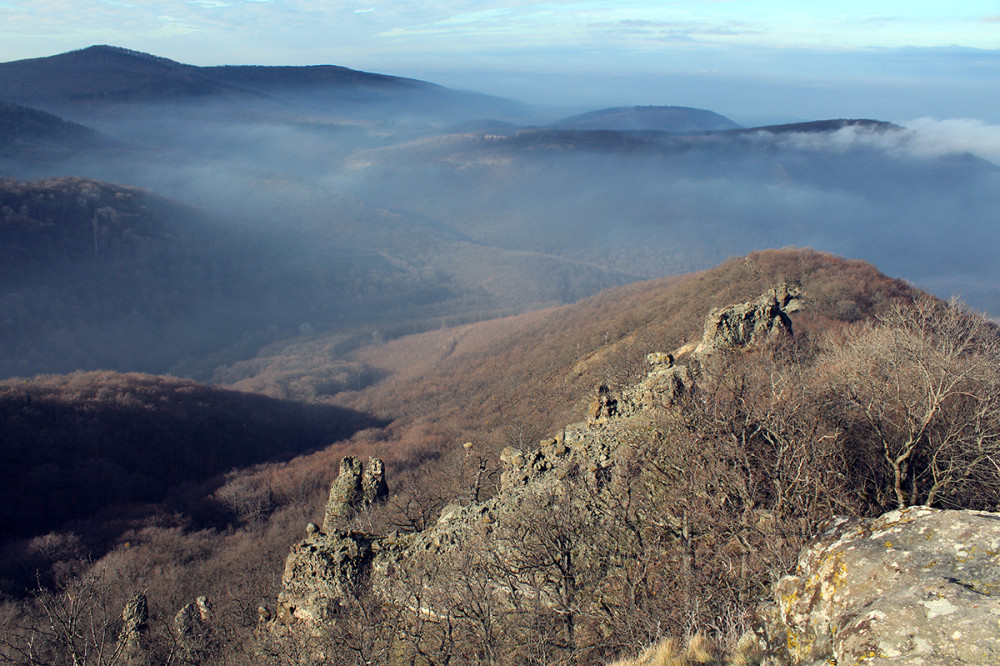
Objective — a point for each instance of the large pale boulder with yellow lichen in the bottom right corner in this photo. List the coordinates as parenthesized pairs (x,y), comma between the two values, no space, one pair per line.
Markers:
(915,586)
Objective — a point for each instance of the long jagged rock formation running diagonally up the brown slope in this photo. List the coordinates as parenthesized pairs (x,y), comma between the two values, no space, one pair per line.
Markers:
(573,475)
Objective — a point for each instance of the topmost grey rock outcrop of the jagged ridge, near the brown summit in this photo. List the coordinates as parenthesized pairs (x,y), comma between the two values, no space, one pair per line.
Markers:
(751,322)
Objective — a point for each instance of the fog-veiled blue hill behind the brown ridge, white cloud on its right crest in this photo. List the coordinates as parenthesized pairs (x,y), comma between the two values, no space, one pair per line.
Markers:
(654,203)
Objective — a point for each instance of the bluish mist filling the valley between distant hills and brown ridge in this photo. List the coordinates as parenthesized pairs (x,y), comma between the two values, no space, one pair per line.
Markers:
(425,222)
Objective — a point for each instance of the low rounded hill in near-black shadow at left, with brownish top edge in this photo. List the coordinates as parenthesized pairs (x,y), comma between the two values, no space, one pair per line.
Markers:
(81,444)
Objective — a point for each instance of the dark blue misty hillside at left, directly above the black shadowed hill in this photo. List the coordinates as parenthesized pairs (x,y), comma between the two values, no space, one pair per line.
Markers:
(96,275)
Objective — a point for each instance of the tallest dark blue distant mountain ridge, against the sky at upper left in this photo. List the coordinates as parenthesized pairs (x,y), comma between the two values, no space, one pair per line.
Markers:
(106,77)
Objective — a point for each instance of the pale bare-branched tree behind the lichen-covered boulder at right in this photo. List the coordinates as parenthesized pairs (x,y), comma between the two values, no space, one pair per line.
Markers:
(920,390)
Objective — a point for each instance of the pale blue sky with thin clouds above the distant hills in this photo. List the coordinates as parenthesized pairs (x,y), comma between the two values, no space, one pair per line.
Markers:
(748,59)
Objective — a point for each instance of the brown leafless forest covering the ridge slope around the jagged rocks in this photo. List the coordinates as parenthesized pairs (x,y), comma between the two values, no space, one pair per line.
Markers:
(766,455)
